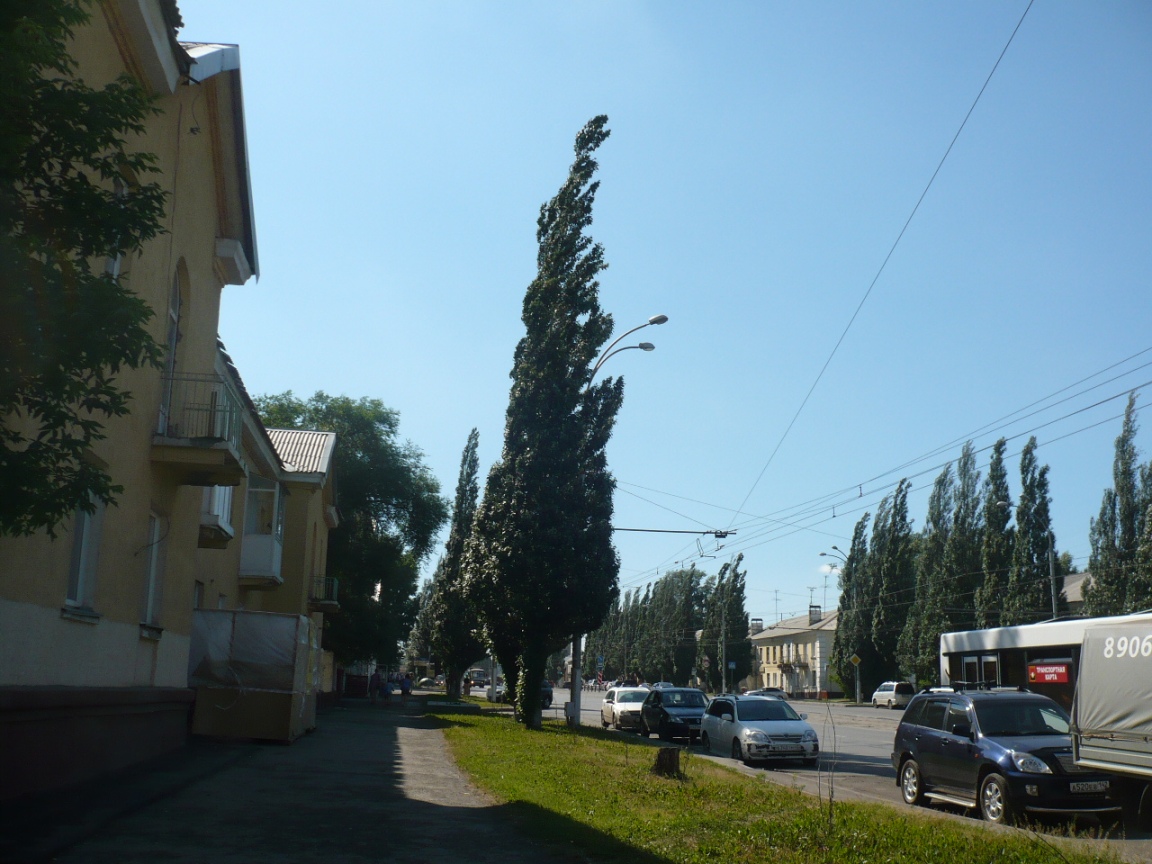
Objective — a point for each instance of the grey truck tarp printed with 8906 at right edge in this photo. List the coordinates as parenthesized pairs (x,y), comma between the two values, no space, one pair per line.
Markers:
(1112,714)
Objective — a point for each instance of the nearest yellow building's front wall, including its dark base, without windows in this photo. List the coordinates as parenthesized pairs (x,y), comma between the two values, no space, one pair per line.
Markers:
(94,684)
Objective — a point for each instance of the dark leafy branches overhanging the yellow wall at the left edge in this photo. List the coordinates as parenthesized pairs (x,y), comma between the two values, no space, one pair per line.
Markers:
(73,200)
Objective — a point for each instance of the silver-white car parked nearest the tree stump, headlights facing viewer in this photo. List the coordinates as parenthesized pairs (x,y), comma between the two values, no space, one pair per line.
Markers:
(755,729)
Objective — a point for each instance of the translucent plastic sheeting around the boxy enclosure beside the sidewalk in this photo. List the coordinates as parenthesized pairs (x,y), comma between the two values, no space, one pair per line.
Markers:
(255,651)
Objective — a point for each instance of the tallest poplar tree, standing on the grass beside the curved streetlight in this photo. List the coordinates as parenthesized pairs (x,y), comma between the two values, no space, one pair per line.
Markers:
(541,565)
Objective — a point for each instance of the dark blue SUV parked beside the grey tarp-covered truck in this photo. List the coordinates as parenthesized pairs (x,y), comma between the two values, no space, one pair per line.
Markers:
(1003,752)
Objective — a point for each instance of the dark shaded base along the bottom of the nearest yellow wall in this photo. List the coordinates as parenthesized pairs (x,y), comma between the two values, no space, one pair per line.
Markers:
(54,738)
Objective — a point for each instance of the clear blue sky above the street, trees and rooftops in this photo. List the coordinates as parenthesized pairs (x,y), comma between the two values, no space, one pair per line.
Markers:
(764,158)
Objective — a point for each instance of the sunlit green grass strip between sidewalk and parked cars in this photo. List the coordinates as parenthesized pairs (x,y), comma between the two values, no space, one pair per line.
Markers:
(595,792)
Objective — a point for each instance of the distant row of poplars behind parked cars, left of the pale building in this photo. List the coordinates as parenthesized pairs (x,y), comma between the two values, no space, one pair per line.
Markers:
(653,636)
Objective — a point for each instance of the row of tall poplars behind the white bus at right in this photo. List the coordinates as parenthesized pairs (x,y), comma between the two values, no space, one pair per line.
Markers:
(983,560)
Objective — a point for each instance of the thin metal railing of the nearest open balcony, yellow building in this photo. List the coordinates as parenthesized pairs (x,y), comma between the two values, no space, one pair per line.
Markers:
(201,407)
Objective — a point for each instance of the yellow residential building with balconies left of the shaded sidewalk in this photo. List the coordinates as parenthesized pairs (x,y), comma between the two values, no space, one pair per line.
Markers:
(96,625)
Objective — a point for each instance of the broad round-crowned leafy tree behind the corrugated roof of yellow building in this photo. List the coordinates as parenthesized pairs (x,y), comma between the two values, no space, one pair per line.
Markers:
(391,511)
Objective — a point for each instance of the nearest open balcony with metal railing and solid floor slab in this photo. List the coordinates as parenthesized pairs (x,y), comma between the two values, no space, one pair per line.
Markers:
(199,431)
